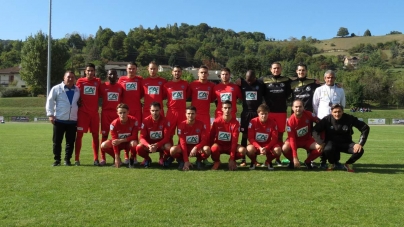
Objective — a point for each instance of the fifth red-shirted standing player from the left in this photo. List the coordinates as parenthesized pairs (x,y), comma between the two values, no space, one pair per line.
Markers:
(176,93)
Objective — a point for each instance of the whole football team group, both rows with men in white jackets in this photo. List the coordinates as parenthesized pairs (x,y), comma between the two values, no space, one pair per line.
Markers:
(133,119)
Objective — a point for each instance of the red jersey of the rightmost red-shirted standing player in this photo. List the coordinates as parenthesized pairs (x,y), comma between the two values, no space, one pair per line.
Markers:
(229,92)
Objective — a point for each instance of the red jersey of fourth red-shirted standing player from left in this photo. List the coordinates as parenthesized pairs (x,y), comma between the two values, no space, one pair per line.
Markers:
(153,92)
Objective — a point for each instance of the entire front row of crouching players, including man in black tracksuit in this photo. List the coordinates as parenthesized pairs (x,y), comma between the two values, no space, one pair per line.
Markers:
(332,135)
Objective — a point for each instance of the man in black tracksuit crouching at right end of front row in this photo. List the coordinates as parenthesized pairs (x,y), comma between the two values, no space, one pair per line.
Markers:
(338,136)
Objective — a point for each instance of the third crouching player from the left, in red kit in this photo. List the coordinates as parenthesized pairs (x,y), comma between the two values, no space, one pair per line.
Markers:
(193,141)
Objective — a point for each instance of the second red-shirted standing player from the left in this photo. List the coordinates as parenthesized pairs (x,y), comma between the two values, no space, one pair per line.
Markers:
(111,94)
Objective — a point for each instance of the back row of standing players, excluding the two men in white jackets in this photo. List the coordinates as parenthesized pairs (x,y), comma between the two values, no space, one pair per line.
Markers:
(274,90)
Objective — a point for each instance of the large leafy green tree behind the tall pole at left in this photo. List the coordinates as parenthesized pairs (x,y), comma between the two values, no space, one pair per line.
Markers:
(34,62)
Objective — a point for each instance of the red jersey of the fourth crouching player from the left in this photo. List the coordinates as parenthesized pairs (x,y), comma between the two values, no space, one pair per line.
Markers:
(225,134)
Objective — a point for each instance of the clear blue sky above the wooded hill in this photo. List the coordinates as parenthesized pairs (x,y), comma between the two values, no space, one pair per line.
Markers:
(281,19)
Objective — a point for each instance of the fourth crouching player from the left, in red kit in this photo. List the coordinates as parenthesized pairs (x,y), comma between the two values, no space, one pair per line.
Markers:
(224,136)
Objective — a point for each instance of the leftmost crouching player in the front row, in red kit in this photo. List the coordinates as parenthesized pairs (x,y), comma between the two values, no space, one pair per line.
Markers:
(124,132)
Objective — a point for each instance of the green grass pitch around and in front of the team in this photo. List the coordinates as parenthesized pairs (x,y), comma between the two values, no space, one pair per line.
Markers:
(33,193)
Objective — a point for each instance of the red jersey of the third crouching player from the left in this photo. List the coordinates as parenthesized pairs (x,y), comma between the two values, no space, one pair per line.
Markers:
(194,135)
